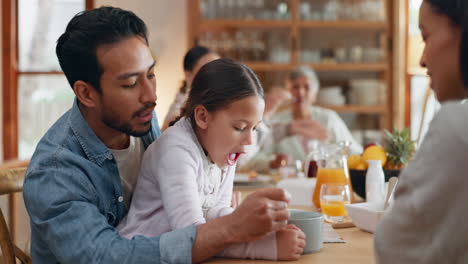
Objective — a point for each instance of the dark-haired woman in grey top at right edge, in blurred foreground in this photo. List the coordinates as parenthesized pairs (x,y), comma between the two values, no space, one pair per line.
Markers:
(427,222)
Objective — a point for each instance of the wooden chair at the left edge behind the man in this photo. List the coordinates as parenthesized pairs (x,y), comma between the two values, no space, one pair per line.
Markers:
(11,181)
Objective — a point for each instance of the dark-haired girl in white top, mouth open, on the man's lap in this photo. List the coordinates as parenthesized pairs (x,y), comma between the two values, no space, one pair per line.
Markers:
(187,175)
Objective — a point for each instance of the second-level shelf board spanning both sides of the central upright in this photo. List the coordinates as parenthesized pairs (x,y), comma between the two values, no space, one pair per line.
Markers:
(267,66)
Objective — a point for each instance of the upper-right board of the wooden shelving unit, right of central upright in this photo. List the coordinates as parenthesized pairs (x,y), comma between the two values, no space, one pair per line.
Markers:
(344,24)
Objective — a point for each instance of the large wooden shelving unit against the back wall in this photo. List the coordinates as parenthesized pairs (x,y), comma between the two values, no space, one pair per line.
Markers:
(379,32)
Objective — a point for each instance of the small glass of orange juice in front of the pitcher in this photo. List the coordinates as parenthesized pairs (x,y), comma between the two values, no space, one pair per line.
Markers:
(333,197)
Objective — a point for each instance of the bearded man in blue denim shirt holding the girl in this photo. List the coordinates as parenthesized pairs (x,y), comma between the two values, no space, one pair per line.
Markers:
(81,176)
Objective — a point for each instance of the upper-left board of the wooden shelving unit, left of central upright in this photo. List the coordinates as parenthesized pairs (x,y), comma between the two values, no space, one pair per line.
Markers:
(209,24)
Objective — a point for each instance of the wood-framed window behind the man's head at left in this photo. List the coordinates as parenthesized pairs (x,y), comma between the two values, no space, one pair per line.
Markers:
(36,90)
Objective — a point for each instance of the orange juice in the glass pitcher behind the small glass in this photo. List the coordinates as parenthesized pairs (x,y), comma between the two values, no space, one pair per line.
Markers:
(330,175)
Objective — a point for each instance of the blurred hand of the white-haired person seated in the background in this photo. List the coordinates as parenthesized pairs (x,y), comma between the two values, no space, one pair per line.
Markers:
(309,129)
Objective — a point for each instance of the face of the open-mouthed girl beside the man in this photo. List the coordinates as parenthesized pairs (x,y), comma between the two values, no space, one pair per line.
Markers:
(225,133)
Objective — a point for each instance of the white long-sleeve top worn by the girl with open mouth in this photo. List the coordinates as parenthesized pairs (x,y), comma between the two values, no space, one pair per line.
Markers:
(179,186)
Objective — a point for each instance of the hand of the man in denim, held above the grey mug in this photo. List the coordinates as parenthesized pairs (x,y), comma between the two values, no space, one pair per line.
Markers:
(260,213)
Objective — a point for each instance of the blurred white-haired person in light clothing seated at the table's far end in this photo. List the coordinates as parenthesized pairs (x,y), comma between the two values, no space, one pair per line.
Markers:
(302,123)
